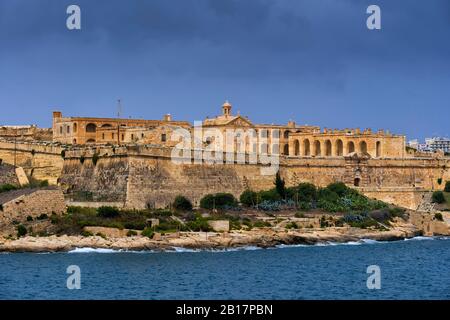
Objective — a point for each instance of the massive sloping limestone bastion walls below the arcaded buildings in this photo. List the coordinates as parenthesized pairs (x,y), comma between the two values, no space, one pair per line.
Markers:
(141,176)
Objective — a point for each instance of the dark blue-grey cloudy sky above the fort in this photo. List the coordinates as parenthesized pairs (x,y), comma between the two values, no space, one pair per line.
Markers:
(312,61)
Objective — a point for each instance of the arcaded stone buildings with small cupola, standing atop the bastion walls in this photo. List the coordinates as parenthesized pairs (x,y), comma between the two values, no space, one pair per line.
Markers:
(289,140)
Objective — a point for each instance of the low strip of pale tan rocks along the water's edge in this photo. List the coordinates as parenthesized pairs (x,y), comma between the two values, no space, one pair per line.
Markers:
(261,237)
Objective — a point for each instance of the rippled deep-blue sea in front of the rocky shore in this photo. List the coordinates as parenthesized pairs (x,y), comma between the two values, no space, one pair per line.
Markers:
(413,269)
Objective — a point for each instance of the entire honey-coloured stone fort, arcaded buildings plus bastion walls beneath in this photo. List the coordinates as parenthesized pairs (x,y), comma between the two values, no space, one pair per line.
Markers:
(137,170)
